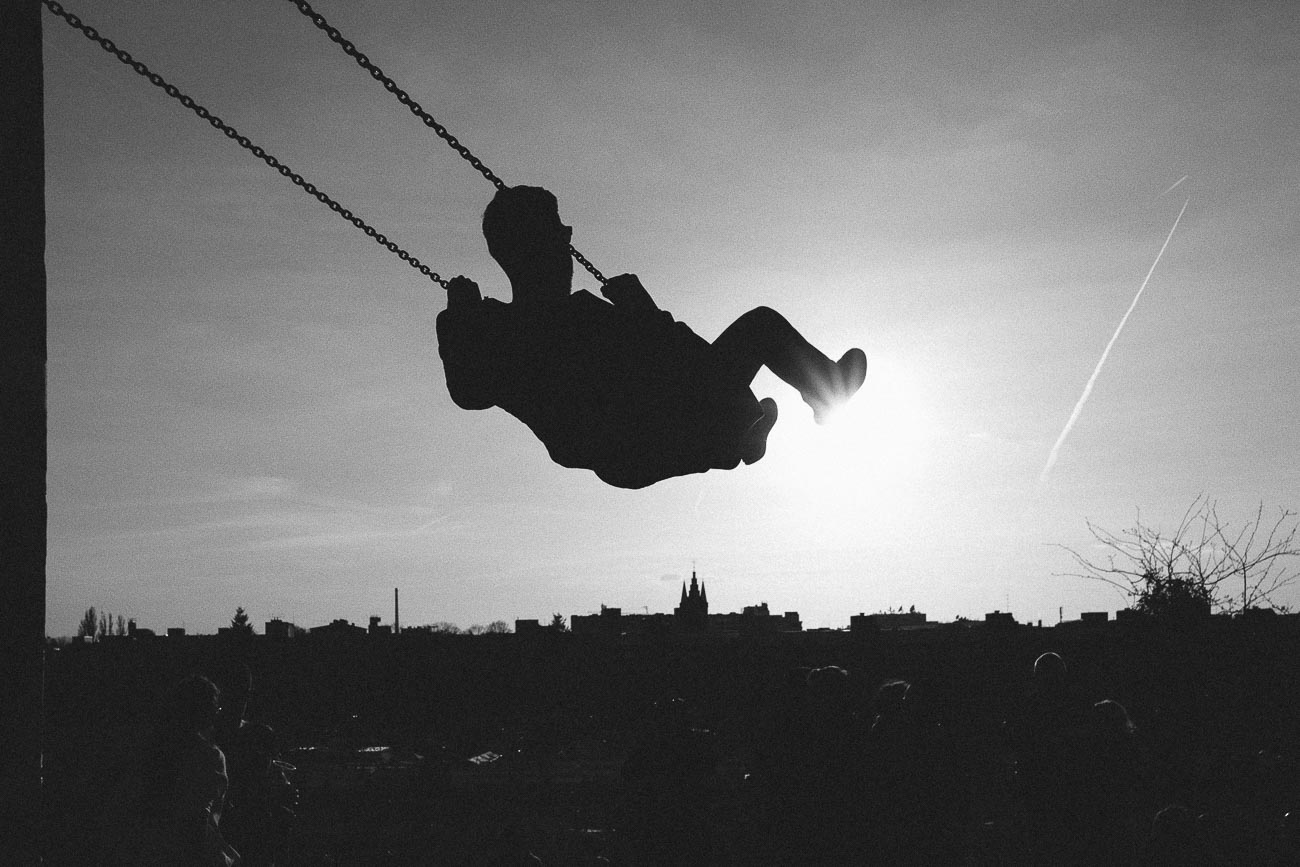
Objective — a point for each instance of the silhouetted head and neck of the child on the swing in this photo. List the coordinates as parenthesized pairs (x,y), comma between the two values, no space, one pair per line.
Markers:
(527,239)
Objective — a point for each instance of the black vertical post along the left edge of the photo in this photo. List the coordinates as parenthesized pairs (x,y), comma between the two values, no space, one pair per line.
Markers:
(23,404)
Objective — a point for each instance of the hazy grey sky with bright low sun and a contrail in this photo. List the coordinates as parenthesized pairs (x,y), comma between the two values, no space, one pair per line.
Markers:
(246,405)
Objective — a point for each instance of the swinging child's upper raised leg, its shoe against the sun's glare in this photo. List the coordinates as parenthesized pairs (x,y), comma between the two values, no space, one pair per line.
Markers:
(764,337)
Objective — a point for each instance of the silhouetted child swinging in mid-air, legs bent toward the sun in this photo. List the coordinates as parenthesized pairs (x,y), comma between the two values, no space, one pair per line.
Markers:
(618,387)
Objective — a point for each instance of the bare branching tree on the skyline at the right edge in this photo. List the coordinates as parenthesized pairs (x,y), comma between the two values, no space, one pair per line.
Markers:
(1204,563)
